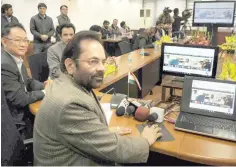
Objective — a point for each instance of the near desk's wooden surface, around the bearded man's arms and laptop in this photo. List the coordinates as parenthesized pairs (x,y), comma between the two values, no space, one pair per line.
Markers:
(186,146)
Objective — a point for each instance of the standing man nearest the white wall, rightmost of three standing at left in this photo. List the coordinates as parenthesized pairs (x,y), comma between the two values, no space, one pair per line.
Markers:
(61,19)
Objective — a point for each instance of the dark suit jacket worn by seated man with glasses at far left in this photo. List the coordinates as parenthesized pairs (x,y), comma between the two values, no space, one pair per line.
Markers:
(14,87)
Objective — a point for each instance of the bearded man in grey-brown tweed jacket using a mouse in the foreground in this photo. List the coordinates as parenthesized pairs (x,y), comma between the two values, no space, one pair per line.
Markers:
(70,126)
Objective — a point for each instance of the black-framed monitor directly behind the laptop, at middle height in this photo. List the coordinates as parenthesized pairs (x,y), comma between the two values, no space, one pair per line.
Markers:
(181,60)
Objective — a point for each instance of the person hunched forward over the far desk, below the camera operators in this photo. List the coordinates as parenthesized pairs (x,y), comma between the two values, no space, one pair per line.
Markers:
(145,39)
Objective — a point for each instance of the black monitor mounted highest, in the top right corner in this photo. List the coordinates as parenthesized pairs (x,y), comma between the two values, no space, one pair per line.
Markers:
(216,13)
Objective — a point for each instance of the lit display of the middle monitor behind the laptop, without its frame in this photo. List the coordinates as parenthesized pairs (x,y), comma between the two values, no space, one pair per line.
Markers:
(188,60)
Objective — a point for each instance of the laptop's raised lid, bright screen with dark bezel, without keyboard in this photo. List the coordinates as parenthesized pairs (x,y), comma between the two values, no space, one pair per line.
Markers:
(206,96)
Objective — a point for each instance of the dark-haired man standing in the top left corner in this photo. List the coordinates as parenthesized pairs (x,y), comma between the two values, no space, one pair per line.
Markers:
(7,16)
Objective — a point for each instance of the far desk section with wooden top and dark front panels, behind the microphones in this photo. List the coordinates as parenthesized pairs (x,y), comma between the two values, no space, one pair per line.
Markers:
(143,68)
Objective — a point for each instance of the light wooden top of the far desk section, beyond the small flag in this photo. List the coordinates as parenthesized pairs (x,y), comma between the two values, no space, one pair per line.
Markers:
(124,67)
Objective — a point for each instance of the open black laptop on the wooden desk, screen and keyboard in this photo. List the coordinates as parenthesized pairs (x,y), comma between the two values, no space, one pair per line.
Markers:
(208,107)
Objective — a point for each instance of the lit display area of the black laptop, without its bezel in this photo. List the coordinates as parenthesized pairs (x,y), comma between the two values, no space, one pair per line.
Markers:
(213,96)
